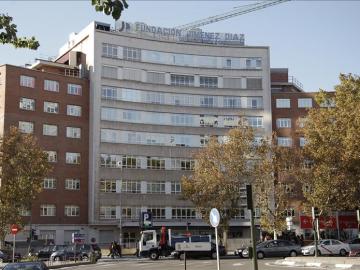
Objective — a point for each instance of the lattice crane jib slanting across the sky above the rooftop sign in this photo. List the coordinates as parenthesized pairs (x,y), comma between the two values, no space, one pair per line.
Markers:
(233,13)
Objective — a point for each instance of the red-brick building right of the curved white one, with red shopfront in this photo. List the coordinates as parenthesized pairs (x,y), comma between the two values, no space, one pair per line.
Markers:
(290,105)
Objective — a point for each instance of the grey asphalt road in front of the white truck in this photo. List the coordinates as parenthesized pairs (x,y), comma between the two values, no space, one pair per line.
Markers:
(172,264)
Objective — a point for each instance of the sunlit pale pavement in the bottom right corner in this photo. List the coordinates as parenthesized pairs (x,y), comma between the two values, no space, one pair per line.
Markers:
(323,262)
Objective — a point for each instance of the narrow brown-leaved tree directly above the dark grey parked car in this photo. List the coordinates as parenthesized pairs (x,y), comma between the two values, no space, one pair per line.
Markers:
(275,178)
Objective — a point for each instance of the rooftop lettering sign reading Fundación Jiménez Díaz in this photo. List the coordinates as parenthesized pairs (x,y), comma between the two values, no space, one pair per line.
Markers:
(196,35)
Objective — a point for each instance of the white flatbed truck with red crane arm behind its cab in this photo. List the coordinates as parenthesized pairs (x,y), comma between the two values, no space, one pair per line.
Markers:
(154,245)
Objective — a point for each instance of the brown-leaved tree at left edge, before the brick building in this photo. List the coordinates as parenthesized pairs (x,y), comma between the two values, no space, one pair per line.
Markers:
(23,167)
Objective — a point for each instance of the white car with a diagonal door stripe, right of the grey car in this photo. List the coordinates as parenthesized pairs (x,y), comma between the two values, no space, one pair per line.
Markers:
(327,247)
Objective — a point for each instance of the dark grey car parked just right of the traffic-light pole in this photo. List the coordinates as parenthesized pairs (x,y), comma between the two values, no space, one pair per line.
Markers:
(275,248)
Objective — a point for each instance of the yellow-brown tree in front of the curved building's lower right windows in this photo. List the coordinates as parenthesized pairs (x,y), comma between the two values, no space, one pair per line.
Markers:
(221,169)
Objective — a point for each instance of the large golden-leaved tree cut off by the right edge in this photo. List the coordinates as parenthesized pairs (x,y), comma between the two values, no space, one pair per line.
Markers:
(333,145)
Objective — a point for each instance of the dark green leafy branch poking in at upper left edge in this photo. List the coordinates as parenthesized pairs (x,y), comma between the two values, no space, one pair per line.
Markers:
(8,35)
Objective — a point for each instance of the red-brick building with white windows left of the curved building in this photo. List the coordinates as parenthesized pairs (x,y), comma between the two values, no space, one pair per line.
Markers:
(51,101)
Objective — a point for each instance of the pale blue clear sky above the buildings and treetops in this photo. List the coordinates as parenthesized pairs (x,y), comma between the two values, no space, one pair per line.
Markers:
(316,40)
